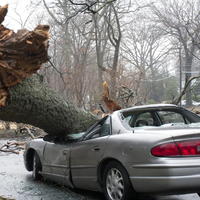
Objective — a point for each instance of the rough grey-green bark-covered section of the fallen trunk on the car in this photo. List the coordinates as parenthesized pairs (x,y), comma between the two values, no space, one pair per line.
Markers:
(31,102)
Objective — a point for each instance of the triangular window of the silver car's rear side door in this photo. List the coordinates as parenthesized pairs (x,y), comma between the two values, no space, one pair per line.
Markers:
(101,129)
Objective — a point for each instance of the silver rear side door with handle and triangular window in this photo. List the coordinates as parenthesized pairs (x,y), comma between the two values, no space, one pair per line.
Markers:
(86,155)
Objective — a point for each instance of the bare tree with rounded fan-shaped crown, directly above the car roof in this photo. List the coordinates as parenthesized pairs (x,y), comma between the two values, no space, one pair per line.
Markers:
(146,51)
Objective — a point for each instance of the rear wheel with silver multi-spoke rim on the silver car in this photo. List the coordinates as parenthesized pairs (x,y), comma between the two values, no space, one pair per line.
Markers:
(116,183)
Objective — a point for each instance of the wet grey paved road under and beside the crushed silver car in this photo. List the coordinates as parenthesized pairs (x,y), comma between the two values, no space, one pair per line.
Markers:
(16,183)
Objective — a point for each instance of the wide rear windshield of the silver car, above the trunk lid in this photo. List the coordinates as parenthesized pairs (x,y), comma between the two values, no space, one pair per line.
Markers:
(160,117)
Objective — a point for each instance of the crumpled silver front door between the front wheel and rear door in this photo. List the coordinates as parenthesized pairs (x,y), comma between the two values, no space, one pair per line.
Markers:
(56,162)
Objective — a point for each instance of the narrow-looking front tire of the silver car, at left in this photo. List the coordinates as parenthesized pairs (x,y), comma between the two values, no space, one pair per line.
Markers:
(37,167)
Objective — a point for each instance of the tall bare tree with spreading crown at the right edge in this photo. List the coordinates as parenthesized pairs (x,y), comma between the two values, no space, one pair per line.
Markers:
(180,20)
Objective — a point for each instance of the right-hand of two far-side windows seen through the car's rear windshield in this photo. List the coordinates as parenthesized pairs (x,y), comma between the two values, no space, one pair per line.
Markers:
(168,117)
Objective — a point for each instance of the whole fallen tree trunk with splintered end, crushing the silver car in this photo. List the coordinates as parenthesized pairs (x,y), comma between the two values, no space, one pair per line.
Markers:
(23,97)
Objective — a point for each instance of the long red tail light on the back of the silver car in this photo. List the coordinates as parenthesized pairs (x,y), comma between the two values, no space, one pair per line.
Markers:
(181,148)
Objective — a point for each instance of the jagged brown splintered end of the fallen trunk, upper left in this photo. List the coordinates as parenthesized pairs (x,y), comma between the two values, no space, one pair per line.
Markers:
(21,54)
